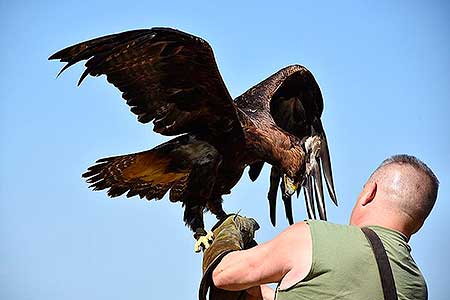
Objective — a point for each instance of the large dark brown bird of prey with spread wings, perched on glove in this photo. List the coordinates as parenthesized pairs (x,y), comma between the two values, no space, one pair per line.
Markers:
(171,78)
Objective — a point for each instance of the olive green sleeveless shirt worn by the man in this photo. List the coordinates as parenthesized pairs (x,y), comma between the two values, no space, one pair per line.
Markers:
(344,267)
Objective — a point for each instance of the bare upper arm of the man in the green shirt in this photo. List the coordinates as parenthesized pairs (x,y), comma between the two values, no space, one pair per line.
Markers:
(287,257)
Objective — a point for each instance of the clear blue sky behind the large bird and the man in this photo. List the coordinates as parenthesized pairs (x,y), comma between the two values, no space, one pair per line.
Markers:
(383,67)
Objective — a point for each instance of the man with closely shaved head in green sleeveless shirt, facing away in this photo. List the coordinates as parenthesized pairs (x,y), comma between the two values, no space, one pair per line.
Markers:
(321,260)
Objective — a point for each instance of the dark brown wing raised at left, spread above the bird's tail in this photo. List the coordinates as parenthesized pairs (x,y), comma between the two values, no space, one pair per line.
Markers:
(165,75)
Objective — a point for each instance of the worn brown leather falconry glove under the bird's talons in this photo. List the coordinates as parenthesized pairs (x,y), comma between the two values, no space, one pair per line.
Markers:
(232,234)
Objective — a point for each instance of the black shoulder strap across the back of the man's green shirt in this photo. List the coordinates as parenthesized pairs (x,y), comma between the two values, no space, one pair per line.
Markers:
(387,279)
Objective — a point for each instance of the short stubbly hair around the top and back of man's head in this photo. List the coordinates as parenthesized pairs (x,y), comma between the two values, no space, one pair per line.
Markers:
(418,165)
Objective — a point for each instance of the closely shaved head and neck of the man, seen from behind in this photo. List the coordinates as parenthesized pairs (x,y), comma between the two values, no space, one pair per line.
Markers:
(401,190)
